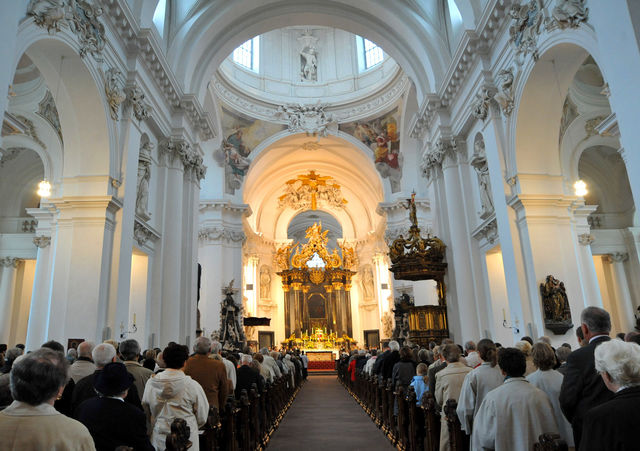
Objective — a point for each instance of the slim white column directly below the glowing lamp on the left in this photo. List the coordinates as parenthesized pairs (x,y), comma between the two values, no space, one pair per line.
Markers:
(38,326)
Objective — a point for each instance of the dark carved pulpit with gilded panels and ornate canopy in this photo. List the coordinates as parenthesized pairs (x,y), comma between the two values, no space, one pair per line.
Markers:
(417,258)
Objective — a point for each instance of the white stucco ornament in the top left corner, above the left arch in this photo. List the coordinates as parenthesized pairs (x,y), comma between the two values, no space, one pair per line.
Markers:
(81,16)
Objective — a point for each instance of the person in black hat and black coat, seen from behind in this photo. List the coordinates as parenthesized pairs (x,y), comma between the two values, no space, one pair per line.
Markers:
(111,421)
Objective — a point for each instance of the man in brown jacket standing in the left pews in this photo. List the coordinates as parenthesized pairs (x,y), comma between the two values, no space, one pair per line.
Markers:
(209,373)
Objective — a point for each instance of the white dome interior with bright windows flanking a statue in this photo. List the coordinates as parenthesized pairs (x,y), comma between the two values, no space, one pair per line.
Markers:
(306,64)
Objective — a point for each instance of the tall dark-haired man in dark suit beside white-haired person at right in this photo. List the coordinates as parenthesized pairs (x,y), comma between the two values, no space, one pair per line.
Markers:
(582,388)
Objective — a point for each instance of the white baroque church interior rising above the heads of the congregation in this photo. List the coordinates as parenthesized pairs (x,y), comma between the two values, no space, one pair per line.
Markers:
(157,152)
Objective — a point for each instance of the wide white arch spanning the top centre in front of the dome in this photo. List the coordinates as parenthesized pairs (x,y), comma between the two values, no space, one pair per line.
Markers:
(210,36)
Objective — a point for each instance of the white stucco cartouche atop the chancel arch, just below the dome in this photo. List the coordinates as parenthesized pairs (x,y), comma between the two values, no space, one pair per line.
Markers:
(309,119)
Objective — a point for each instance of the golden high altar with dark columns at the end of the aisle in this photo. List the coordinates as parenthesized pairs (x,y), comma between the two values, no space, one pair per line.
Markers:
(317,284)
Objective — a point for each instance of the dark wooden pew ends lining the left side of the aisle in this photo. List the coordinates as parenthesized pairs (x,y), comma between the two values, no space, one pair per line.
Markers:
(248,423)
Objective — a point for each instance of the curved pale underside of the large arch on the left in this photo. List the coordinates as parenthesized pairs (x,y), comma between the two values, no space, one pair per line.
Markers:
(76,83)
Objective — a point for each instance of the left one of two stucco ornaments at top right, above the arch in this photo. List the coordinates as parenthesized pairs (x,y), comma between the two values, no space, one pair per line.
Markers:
(525,28)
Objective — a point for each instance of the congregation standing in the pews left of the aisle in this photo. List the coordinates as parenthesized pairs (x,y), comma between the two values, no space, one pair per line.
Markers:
(113,396)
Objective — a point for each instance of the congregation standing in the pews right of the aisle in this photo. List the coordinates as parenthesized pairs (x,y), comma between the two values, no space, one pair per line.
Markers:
(506,398)
